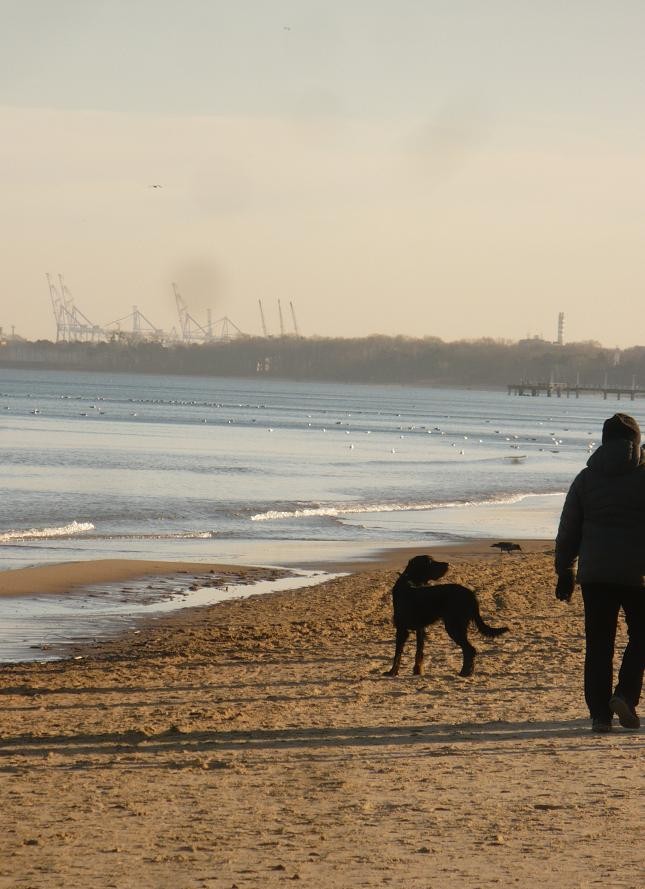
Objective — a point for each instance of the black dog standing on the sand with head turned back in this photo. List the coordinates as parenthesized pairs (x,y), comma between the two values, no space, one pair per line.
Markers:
(417,605)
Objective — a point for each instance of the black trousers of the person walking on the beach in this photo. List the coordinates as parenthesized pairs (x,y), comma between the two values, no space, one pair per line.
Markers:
(603,602)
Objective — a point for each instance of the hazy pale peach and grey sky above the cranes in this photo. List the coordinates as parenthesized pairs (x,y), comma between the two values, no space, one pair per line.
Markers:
(459,169)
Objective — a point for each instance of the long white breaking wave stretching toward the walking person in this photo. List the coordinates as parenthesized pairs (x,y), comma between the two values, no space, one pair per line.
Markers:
(354,508)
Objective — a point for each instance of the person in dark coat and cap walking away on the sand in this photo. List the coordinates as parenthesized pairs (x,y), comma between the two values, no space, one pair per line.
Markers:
(602,527)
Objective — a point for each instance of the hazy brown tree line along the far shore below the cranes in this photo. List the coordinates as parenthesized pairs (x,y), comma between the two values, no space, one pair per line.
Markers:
(372,359)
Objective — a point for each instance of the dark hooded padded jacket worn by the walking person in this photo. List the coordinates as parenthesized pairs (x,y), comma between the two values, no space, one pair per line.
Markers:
(603,519)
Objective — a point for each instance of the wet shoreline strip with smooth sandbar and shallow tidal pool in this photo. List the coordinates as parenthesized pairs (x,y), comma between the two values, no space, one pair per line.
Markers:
(50,612)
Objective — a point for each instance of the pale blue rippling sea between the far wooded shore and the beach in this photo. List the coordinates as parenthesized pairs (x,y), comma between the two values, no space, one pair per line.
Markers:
(99,465)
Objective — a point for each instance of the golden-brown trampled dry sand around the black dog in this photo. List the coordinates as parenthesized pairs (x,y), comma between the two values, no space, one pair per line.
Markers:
(256,743)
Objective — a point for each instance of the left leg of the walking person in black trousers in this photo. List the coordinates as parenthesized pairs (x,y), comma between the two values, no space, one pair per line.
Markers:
(601,617)
